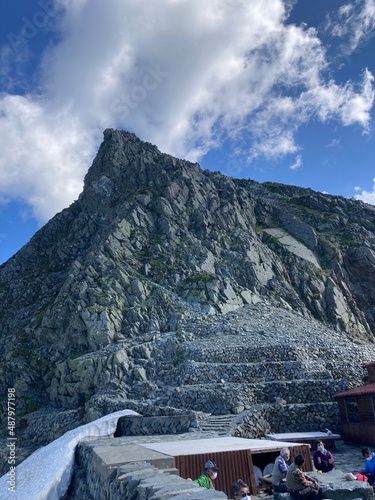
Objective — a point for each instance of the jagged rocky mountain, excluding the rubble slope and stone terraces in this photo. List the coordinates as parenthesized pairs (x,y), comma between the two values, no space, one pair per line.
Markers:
(154,242)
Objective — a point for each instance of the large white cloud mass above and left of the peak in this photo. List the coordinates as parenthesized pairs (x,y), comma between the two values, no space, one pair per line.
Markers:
(180,74)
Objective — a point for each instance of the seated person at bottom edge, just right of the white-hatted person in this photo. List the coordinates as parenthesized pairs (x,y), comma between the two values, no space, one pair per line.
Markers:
(299,484)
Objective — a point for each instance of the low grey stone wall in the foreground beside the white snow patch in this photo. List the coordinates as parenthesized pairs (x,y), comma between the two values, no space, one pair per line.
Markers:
(143,473)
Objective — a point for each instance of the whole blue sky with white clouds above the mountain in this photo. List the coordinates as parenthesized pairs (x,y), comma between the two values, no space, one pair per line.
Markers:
(269,90)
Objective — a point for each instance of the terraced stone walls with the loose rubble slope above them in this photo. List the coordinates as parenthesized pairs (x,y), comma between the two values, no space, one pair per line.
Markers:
(243,373)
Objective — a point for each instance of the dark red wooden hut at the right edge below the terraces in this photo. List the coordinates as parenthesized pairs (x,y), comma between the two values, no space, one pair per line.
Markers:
(357,411)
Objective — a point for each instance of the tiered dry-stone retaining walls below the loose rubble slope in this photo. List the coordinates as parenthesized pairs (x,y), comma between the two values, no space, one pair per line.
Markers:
(237,376)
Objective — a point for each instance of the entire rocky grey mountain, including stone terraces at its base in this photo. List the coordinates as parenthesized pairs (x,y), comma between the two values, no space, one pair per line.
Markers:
(115,296)
